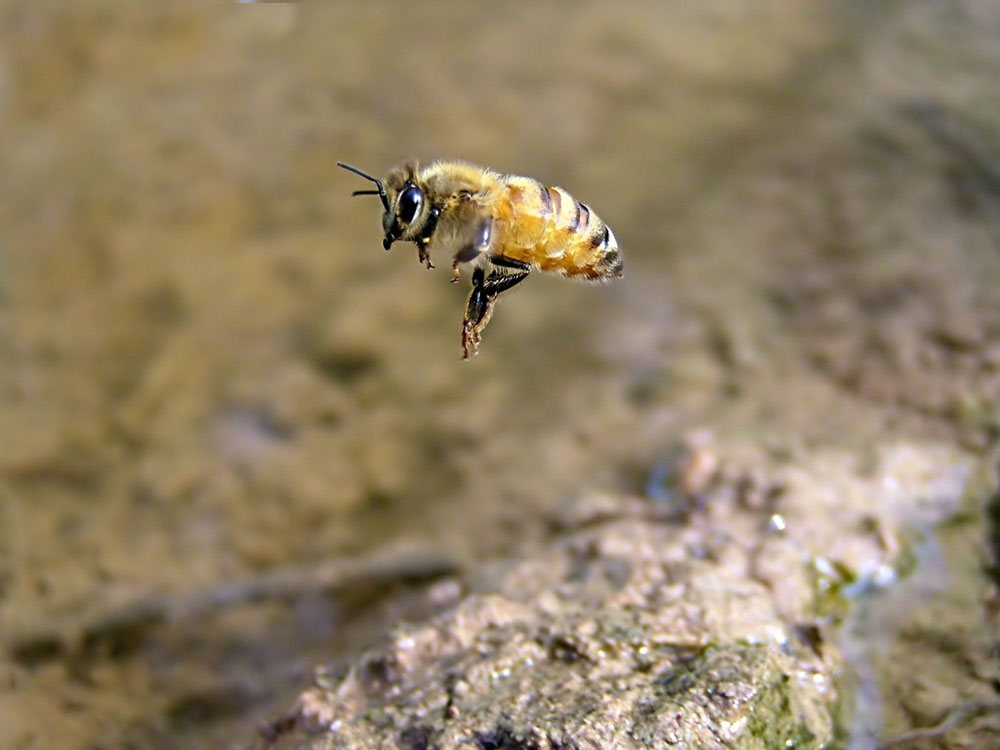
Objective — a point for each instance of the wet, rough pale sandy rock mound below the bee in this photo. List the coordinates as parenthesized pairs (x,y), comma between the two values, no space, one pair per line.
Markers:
(641,626)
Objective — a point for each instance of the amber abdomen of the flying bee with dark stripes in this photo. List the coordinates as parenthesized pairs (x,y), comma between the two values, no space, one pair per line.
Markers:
(551,230)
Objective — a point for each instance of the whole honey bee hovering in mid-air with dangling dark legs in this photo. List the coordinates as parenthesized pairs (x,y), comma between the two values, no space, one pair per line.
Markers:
(499,227)
